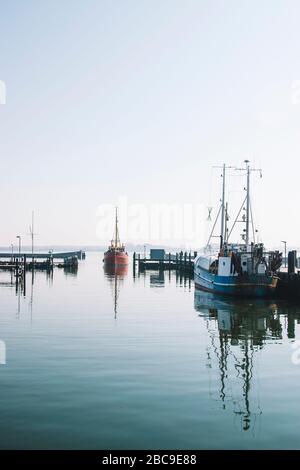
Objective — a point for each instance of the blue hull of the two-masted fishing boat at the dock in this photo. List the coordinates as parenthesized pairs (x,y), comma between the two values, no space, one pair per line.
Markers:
(252,285)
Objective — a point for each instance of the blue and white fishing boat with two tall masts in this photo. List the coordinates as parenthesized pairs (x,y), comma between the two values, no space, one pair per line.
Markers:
(238,269)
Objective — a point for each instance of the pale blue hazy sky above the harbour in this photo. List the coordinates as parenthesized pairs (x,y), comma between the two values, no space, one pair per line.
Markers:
(132,103)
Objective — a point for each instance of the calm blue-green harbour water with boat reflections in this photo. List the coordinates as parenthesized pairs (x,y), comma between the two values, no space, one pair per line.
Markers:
(98,361)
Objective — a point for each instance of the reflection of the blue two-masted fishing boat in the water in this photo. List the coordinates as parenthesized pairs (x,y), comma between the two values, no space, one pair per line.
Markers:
(237,331)
